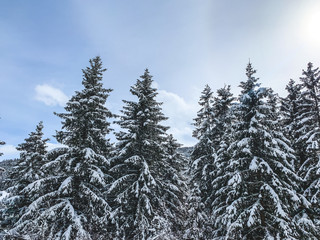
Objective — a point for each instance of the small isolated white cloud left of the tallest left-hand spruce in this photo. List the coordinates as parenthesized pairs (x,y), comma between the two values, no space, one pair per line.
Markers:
(50,96)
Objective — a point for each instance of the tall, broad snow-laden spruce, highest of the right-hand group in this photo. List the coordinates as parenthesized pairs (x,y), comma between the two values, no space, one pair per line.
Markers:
(259,190)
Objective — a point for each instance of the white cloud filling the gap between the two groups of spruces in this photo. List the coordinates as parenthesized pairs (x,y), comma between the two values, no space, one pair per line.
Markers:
(181,114)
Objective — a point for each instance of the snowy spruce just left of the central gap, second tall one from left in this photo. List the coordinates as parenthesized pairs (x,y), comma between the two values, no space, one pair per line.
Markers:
(144,202)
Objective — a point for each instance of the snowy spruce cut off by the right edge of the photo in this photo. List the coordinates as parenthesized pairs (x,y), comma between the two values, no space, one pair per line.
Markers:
(309,135)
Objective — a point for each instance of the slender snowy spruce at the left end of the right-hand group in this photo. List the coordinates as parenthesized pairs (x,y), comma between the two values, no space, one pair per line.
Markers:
(201,161)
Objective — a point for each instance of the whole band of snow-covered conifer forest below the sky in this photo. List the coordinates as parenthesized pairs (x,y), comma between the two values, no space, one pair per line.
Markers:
(254,172)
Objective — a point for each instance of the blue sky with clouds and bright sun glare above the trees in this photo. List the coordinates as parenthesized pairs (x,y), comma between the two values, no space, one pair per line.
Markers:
(184,43)
